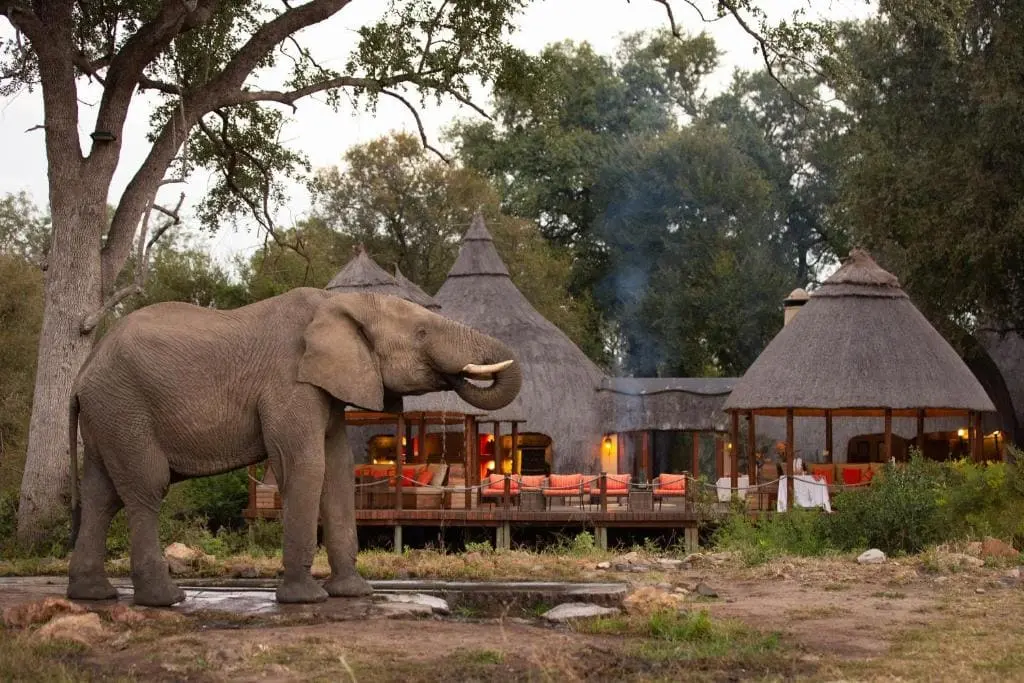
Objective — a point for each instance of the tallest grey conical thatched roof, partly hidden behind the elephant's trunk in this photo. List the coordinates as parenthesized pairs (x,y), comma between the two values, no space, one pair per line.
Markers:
(560,383)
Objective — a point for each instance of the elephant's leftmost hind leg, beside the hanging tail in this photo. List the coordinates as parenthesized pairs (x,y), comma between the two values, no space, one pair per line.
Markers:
(88,577)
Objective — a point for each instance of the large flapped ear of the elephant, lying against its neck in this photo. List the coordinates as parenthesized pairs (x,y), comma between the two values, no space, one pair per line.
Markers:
(338,358)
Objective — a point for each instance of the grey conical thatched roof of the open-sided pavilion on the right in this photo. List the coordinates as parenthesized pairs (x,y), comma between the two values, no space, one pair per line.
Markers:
(860,344)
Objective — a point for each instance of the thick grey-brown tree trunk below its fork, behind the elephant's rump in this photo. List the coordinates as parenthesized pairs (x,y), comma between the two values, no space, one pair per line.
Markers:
(73,291)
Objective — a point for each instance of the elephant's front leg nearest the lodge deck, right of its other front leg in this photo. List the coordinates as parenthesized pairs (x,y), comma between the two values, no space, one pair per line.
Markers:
(338,514)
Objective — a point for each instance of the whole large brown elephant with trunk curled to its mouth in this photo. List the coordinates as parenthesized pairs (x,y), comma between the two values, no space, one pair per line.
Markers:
(176,392)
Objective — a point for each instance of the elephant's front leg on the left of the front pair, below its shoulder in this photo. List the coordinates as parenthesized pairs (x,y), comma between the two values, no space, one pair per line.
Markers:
(301,493)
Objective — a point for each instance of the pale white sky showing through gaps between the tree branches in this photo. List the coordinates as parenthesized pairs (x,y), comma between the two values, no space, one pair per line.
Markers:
(324,135)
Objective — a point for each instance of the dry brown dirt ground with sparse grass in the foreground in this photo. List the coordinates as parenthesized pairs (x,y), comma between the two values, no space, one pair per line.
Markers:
(823,620)
